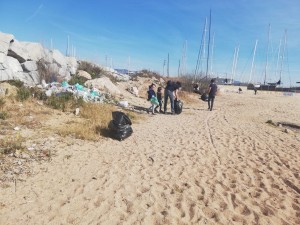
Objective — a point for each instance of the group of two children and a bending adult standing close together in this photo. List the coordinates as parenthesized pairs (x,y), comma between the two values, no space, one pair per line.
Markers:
(156,99)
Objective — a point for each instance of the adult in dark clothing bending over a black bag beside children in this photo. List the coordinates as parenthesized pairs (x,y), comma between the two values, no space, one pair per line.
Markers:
(171,91)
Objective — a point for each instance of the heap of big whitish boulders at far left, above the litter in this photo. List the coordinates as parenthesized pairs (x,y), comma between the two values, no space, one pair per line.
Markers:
(19,61)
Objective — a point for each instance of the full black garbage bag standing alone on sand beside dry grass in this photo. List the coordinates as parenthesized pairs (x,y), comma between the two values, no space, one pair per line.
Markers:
(120,127)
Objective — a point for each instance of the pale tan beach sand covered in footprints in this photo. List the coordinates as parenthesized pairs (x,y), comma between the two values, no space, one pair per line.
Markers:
(227,166)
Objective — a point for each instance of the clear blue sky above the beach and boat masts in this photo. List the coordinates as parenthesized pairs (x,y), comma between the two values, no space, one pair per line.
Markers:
(147,34)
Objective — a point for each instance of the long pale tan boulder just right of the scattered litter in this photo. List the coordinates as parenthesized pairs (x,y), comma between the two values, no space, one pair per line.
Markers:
(104,83)
